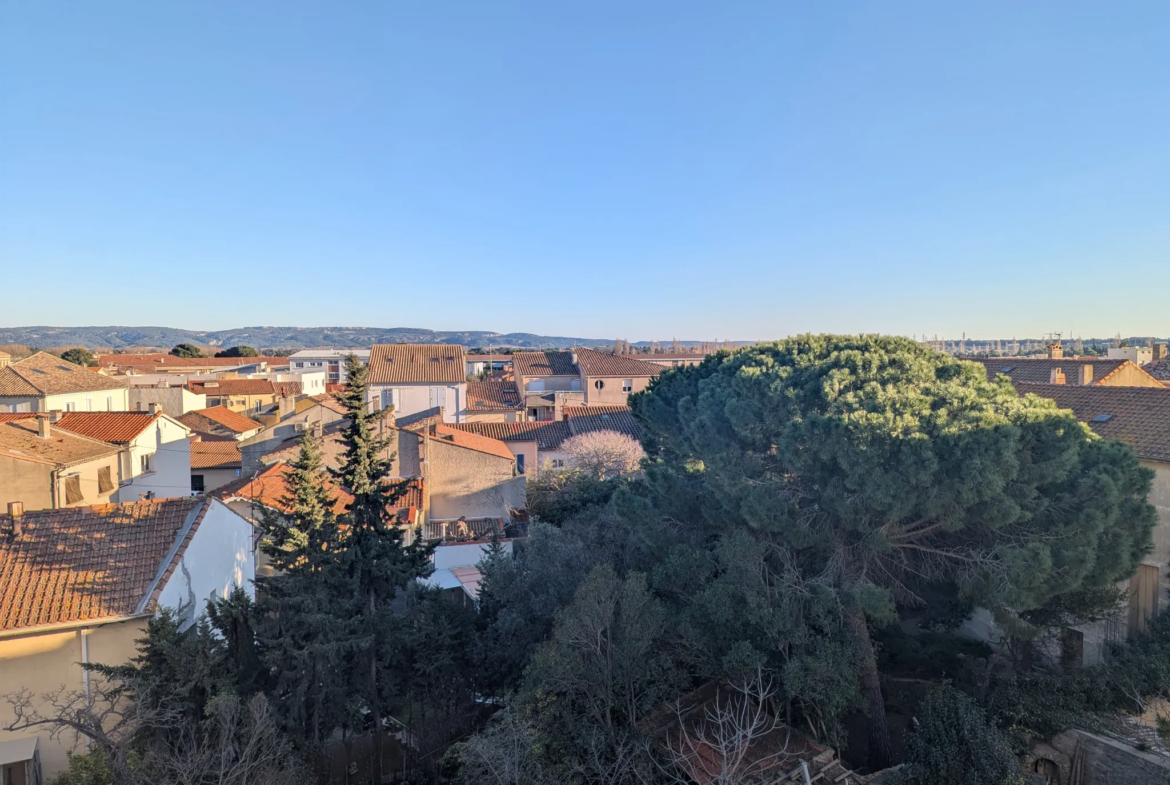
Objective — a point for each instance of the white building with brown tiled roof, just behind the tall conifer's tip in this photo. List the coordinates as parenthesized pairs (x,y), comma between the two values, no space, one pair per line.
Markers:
(416,377)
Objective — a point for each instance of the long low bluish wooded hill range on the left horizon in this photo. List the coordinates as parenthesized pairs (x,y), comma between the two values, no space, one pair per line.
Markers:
(266,338)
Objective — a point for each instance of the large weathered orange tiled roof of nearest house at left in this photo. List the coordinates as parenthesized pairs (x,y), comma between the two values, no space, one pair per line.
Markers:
(92,563)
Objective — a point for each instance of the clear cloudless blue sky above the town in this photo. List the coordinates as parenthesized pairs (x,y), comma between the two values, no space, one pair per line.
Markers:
(643,170)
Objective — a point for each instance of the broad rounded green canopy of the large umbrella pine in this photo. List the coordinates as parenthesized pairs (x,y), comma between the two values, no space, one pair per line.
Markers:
(878,463)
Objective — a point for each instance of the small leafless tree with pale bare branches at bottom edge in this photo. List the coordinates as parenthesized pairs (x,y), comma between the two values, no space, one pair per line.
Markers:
(738,740)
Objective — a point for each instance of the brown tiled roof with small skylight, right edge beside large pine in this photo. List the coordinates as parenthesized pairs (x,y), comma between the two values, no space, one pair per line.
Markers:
(1139,417)
